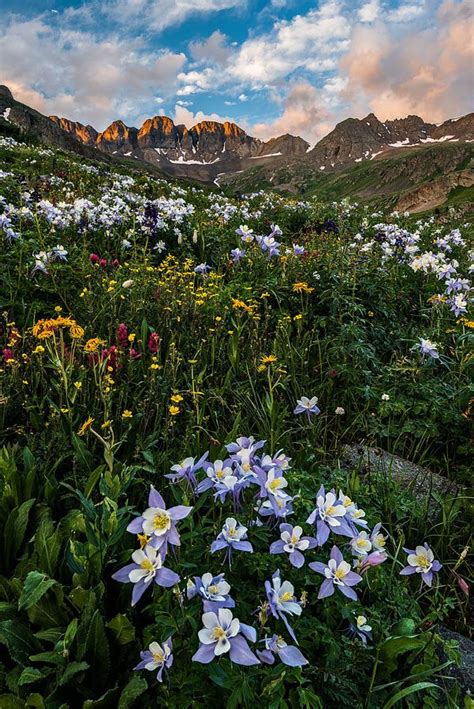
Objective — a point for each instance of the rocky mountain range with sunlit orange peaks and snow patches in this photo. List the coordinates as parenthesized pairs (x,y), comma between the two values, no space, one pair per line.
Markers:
(224,153)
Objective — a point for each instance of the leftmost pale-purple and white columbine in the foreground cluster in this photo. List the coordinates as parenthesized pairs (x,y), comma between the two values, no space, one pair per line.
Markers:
(147,567)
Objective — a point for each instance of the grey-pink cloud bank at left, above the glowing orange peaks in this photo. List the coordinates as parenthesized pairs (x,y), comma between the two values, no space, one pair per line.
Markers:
(78,75)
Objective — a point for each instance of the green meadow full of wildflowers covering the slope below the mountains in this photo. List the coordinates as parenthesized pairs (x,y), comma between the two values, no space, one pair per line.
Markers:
(151,330)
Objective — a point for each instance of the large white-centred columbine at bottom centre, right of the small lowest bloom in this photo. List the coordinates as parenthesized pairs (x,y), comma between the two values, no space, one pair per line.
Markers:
(221,634)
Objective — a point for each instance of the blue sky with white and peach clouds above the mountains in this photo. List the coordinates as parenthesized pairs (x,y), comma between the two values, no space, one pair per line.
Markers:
(272,66)
